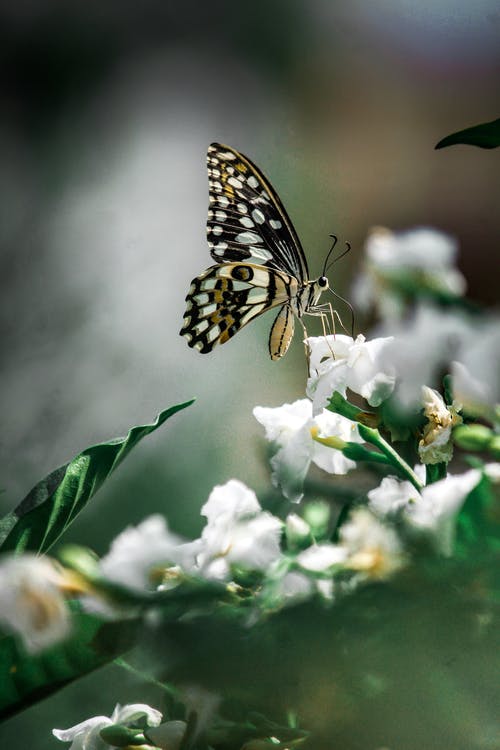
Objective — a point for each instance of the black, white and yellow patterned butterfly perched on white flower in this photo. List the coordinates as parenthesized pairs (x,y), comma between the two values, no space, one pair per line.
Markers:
(260,264)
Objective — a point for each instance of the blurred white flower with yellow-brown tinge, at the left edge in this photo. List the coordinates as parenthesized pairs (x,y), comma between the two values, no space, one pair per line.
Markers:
(32,604)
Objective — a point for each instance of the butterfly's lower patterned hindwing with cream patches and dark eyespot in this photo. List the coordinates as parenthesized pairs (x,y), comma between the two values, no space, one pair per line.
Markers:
(225,298)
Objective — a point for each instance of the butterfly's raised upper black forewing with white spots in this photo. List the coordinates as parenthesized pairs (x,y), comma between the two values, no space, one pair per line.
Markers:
(246,220)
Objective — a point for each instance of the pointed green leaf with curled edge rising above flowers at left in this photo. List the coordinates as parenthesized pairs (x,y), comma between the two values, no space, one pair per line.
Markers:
(54,503)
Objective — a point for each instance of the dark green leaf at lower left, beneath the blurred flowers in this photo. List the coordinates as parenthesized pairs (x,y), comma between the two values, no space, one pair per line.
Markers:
(26,678)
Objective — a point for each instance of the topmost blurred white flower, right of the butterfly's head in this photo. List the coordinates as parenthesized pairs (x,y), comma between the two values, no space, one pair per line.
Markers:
(421,257)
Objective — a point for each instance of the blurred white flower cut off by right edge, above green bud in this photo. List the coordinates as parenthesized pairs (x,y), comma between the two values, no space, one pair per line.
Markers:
(476,373)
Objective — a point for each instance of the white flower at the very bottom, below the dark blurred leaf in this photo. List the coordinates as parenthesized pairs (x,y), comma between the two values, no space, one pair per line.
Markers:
(86,735)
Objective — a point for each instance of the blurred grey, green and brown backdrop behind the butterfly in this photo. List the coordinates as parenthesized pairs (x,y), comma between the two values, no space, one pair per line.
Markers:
(107,111)
